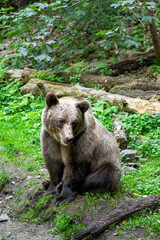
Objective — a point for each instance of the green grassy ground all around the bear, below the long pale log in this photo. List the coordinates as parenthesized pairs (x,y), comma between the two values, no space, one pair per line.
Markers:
(20,124)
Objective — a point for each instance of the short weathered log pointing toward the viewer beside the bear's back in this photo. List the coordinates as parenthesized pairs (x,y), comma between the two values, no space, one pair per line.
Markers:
(119,132)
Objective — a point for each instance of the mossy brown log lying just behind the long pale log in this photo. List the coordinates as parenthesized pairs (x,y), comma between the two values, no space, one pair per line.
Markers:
(143,88)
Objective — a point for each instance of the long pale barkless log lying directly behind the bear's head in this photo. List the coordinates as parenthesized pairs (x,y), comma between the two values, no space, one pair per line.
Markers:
(127,104)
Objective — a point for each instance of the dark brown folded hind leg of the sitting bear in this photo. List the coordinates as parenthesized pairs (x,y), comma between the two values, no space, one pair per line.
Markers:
(106,177)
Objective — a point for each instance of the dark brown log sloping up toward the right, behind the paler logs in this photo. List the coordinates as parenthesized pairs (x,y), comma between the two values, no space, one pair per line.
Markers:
(132,63)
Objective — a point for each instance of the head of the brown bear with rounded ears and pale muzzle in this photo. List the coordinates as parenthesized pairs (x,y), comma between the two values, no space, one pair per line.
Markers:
(64,118)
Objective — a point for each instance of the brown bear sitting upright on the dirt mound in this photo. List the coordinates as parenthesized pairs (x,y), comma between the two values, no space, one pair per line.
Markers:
(79,152)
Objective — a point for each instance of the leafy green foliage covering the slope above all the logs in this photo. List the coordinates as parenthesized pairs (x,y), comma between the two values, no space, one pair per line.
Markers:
(91,29)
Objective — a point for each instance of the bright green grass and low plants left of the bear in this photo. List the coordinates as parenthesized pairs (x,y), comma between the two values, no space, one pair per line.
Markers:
(20,126)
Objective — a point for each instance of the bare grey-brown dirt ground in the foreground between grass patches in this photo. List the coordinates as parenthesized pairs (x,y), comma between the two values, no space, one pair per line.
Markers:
(13,229)
